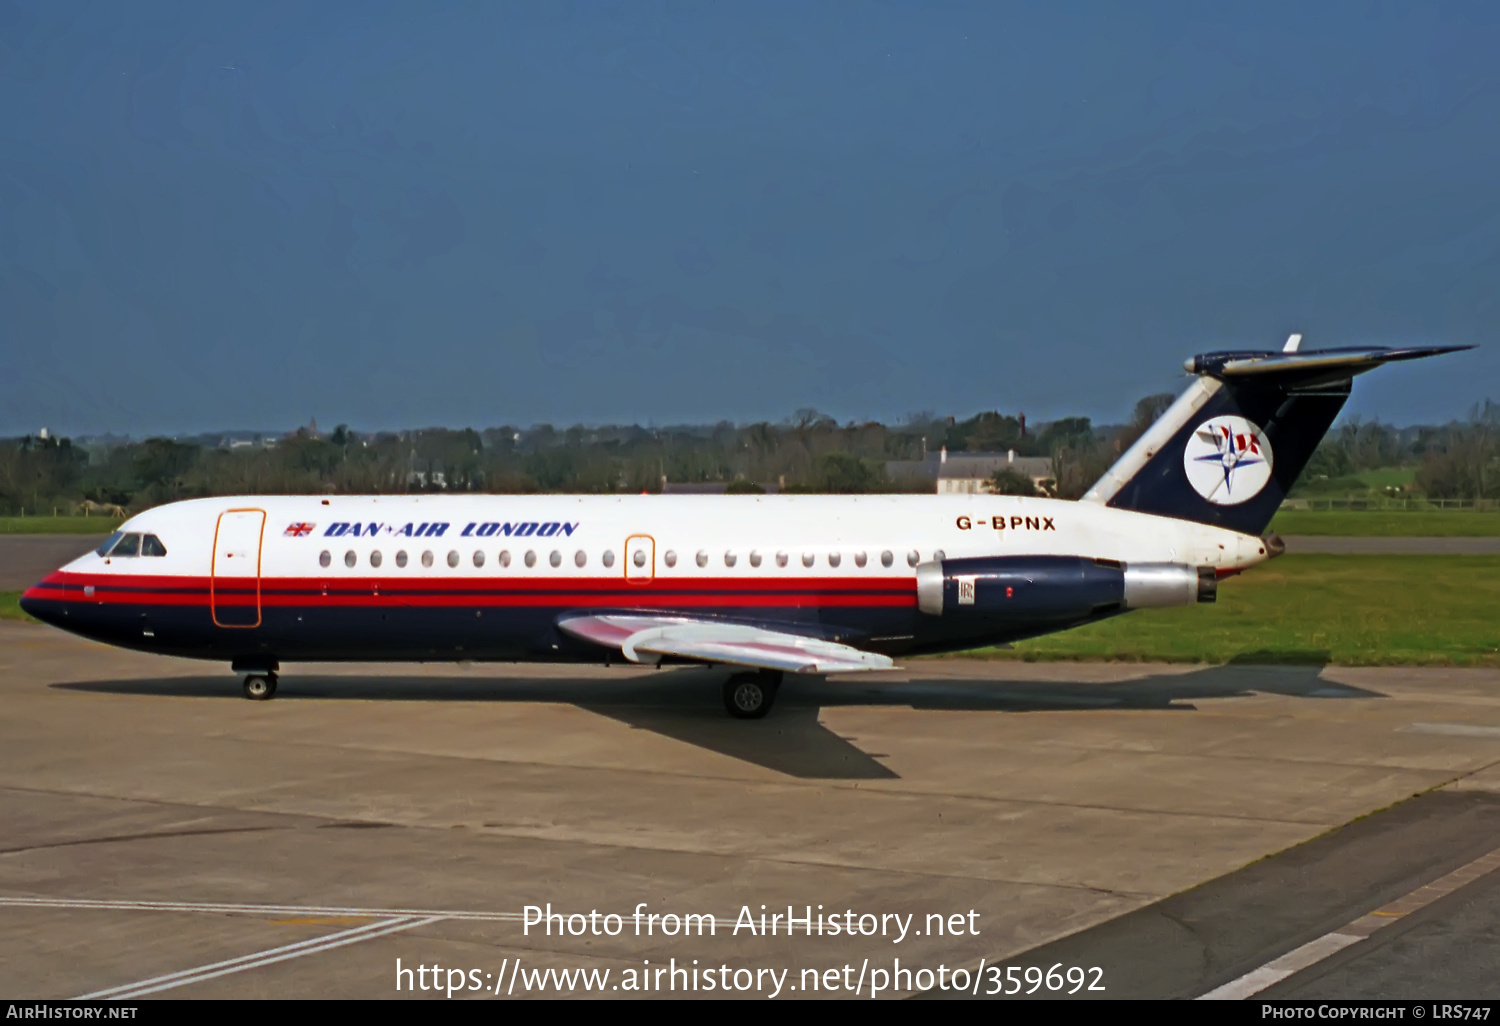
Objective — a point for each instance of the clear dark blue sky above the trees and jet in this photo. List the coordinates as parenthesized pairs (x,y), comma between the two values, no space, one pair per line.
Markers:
(404,215)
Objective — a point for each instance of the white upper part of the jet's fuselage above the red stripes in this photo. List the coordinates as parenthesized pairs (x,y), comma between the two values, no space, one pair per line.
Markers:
(809,529)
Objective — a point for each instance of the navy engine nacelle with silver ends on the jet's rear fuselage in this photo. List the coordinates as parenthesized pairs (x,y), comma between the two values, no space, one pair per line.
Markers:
(1057,589)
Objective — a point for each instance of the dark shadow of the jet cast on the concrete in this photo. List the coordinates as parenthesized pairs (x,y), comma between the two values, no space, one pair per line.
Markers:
(683,704)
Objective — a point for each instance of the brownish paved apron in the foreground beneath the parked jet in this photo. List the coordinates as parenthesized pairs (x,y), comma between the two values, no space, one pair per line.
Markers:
(166,838)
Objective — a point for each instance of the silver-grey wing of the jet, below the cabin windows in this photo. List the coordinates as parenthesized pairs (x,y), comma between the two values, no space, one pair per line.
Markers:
(647,640)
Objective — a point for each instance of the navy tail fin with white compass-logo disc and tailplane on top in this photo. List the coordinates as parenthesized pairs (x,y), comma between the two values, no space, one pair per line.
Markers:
(1231,448)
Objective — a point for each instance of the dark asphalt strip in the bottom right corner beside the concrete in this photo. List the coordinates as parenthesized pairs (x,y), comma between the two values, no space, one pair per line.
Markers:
(1193,943)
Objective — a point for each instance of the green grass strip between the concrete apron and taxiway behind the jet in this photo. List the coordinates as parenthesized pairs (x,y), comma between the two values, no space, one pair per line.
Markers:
(1357,611)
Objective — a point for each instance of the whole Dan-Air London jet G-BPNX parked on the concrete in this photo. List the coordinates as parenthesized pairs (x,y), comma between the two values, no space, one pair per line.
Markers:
(764,584)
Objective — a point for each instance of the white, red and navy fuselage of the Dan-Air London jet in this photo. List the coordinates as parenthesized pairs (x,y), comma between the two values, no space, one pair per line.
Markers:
(506,577)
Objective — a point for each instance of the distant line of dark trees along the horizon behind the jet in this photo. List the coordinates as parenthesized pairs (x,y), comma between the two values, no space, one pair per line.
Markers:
(806,454)
